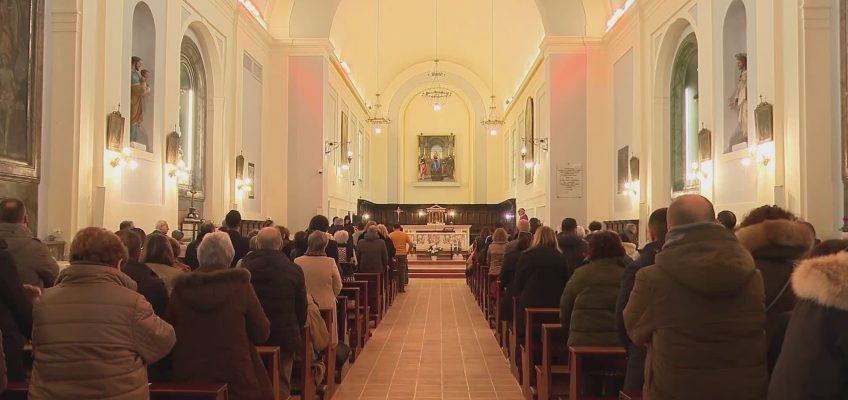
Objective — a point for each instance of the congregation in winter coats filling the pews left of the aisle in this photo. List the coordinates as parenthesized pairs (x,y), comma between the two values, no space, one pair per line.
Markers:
(133,308)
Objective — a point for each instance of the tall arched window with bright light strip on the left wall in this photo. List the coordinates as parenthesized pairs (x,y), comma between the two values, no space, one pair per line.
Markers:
(192,120)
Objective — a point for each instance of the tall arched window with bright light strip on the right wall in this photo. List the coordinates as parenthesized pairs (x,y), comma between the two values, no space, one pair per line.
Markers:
(685,121)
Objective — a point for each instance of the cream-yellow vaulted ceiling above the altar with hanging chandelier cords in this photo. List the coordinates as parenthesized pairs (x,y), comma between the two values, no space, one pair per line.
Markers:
(406,33)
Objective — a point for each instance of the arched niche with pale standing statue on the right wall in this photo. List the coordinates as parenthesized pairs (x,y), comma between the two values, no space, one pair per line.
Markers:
(735,85)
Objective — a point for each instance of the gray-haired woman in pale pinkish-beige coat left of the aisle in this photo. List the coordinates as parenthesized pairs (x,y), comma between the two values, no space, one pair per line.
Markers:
(323,280)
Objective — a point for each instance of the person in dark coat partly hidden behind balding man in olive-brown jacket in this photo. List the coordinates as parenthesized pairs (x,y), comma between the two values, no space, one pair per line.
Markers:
(634,378)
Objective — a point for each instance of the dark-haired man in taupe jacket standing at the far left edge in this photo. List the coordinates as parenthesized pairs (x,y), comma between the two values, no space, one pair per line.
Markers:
(36,266)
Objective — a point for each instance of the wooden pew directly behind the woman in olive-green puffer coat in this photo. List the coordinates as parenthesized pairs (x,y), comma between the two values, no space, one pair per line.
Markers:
(594,361)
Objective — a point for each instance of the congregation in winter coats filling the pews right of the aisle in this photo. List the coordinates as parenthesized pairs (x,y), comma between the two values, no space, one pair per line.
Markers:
(705,309)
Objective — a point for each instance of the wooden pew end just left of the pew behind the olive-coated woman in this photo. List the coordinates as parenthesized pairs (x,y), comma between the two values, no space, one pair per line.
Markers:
(554,363)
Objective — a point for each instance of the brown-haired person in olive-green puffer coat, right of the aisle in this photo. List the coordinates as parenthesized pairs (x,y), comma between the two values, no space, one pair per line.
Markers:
(587,306)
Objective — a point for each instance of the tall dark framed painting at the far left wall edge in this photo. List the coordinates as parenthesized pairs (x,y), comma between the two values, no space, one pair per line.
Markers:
(21,57)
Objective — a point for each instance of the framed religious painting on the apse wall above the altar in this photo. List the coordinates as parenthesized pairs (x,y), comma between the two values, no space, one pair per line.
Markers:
(436,158)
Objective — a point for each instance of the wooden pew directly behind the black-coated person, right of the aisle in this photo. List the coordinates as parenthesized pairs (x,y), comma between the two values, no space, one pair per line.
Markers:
(531,350)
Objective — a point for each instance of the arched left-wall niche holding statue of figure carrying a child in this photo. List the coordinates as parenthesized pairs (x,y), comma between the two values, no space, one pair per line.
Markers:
(141,89)
